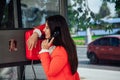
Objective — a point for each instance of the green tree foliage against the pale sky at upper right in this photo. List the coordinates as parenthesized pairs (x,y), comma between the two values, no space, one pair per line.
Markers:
(80,15)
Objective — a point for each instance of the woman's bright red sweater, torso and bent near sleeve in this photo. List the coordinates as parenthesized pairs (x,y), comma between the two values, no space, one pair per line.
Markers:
(56,65)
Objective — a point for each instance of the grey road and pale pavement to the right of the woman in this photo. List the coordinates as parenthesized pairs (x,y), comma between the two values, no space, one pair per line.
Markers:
(105,70)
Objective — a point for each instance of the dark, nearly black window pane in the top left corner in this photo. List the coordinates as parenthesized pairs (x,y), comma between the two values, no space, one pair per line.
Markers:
(6,14)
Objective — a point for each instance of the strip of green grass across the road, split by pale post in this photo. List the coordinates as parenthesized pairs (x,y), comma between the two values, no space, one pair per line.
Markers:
(80,40)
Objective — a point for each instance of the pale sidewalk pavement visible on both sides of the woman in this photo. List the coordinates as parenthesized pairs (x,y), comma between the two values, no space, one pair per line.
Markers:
(85,73)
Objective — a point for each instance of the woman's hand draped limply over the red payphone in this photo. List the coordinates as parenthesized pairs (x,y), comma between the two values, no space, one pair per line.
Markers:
(32,41)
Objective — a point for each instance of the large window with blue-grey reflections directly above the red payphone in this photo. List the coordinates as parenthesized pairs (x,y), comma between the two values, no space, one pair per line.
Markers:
(35,11)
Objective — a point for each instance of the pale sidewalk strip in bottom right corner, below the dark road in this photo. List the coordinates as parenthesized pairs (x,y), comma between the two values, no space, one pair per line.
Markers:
(98,74)
